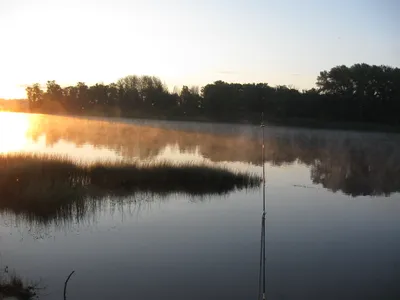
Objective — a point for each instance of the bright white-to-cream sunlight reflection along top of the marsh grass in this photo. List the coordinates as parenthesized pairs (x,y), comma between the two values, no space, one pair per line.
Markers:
(19,140)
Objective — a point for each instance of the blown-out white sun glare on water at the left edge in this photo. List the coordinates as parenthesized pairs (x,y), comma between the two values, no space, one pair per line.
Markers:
(13,132)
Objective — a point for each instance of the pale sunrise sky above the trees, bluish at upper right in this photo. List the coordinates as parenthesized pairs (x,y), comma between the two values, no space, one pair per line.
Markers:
(191,42)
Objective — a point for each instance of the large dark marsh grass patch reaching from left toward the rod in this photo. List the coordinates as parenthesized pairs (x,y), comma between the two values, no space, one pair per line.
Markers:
(52,185)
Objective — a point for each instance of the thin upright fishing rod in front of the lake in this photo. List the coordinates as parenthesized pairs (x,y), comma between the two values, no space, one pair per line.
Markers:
(261,274)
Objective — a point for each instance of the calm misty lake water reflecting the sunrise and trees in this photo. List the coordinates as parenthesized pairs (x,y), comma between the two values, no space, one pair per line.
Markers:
(332,227)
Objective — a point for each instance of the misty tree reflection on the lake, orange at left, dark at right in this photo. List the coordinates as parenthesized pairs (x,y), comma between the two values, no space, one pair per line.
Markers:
(354,163)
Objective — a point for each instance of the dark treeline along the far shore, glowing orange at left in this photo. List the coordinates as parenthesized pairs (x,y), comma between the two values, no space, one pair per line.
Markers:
(360,93)
